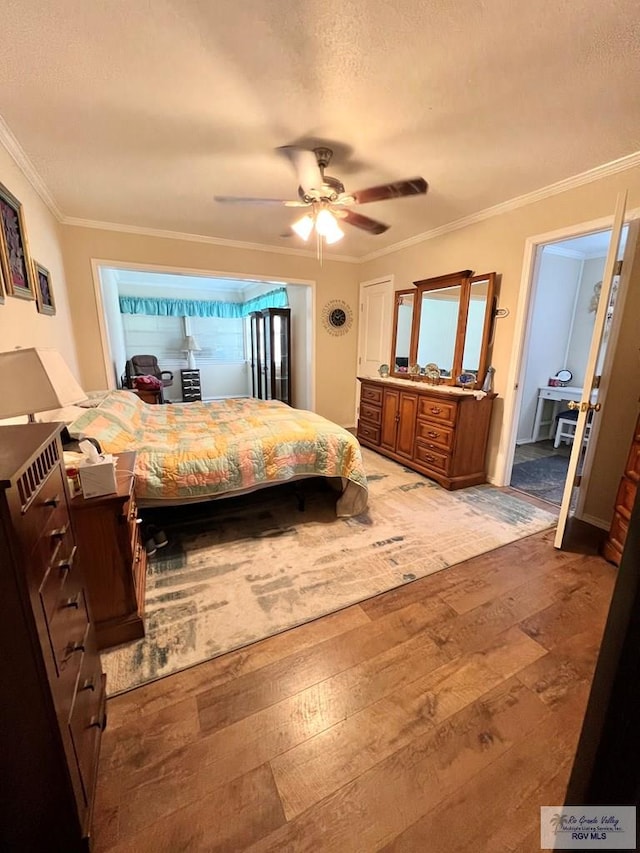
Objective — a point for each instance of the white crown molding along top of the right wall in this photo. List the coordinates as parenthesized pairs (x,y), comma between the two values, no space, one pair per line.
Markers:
(613,167)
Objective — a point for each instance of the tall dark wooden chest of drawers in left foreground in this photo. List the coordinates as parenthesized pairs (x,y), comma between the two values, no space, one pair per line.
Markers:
(52,706)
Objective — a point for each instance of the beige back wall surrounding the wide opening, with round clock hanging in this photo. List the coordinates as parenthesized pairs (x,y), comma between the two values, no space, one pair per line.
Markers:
(335,357)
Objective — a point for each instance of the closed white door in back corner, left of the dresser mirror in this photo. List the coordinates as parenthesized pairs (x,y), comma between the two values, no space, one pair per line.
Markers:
(374,327)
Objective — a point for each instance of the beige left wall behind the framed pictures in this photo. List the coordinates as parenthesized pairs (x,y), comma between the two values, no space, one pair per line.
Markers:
(20,323)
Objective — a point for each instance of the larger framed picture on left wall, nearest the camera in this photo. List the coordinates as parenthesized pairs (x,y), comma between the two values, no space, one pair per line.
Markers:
(14,248)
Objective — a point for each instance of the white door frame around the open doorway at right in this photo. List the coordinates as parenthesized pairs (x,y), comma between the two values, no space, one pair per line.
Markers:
(522,323)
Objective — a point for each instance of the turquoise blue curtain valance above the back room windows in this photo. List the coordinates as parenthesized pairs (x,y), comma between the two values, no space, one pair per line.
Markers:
(202,307)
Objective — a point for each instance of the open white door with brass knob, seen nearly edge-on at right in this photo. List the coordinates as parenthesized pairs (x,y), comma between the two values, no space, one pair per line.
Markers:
(587,403)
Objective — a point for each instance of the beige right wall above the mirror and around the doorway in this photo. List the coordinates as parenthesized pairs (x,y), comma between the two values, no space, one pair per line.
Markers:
(498,244)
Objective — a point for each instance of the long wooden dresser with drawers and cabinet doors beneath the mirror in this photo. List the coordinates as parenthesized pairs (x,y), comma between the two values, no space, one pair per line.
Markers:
(441,434)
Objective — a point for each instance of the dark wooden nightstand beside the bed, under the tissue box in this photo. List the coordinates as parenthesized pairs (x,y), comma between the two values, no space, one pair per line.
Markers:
(113,557)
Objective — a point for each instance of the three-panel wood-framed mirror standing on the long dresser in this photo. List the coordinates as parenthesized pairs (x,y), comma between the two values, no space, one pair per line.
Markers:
(450,319)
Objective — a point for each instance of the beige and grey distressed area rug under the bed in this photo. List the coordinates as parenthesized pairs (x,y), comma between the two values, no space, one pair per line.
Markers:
(236,571)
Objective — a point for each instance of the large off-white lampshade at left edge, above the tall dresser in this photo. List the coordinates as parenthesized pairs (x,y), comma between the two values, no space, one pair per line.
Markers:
(35,380)
